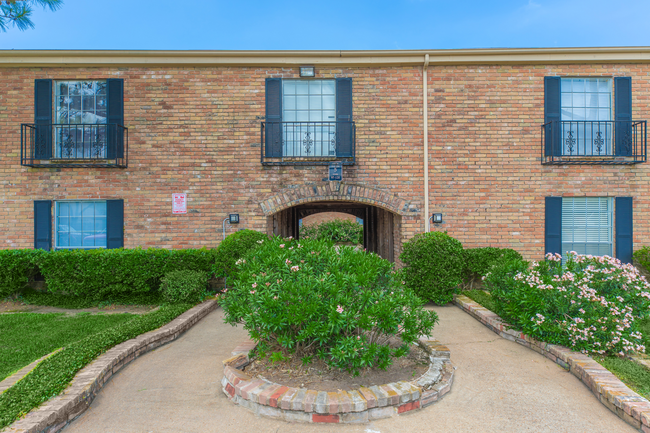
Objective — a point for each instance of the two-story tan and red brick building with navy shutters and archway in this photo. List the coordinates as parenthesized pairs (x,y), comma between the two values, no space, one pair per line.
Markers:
(534,149)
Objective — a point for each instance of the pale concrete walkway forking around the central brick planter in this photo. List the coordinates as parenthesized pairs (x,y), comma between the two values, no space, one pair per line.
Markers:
(499,386)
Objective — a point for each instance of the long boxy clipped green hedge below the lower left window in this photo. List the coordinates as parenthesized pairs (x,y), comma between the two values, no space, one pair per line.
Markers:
(104,273)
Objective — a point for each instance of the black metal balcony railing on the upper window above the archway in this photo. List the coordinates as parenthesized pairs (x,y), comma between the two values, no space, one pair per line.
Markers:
(307,143)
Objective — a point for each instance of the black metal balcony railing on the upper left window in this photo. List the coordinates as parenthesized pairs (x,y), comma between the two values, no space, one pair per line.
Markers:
(74,145)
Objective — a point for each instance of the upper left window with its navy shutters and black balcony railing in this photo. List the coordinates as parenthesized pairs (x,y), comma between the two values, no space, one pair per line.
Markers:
(76,123)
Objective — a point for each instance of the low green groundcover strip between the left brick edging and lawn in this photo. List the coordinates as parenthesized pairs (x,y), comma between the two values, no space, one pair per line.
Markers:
(54,374)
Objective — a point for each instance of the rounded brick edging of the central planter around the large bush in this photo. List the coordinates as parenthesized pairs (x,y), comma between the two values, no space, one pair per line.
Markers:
(358,406)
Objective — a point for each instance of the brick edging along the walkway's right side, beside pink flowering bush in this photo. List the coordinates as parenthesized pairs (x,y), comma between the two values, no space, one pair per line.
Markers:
(608,389)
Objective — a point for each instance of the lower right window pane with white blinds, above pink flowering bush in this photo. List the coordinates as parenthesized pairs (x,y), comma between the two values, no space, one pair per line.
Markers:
(587,225)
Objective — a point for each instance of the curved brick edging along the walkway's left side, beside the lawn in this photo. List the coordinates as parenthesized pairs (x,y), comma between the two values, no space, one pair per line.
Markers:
(56,413)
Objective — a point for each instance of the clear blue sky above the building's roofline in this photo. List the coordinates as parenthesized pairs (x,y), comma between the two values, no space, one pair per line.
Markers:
(334,25)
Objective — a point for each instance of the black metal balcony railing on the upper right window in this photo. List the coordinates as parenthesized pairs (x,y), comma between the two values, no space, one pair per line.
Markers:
(594,142)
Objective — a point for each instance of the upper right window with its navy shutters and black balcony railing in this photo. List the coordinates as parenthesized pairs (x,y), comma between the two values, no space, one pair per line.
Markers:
(588,120)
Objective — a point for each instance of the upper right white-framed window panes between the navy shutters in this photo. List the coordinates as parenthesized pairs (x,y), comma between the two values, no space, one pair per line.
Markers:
(586,116)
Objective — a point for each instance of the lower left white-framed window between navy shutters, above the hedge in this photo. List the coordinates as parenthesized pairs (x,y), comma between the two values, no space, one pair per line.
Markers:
(80,224)
